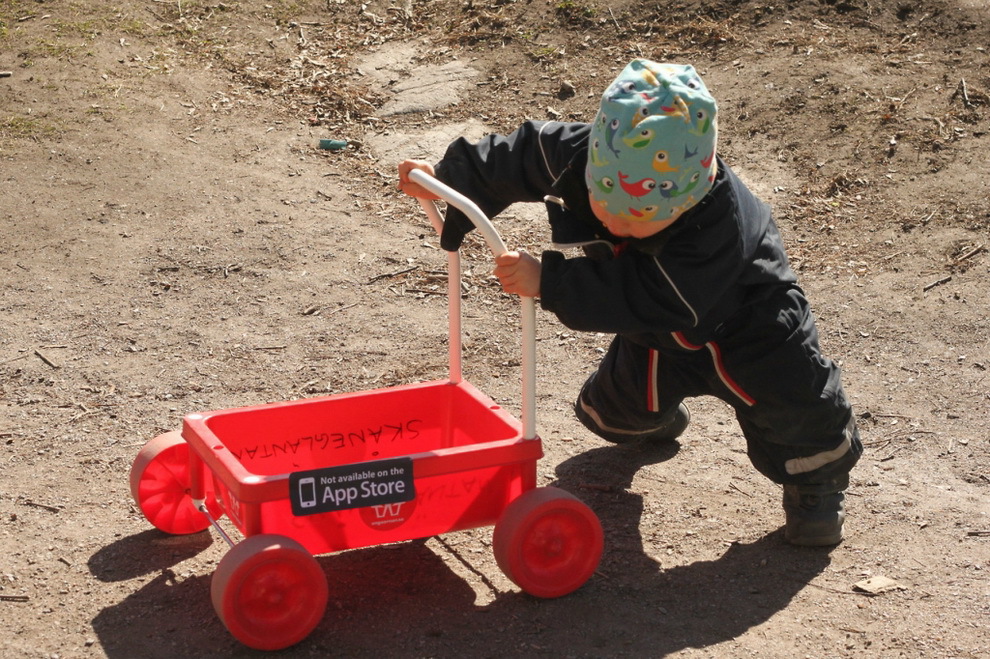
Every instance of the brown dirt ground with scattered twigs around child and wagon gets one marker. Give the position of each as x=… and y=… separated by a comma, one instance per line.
x=174, y=240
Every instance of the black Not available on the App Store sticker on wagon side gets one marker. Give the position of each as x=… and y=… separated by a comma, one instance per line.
x=352, y=486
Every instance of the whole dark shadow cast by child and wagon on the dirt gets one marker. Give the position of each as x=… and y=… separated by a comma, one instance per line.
x=404, y=599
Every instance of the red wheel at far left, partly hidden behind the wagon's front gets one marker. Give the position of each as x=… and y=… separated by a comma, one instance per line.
x=160, y=486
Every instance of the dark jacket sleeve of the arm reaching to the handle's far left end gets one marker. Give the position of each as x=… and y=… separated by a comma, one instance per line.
x=504, y=169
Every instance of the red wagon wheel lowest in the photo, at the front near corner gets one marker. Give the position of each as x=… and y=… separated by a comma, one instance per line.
x=269, y=592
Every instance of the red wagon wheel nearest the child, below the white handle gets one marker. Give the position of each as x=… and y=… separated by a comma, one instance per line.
x=548, y=542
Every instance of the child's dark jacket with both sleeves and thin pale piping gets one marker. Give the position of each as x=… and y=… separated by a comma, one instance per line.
x=688, y=284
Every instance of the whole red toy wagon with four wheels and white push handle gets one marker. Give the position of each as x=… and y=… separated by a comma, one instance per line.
x=325, y=474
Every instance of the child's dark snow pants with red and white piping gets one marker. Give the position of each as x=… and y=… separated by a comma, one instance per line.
x=766, y=364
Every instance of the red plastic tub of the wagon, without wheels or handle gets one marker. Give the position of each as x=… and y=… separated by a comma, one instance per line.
x=468, y=455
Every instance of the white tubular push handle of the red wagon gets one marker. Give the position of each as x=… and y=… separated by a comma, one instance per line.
x=497, y=246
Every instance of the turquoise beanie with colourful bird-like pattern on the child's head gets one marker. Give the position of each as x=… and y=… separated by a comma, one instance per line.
x=652, y=146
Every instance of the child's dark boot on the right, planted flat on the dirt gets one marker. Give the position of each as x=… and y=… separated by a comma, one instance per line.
x=814, y=517
